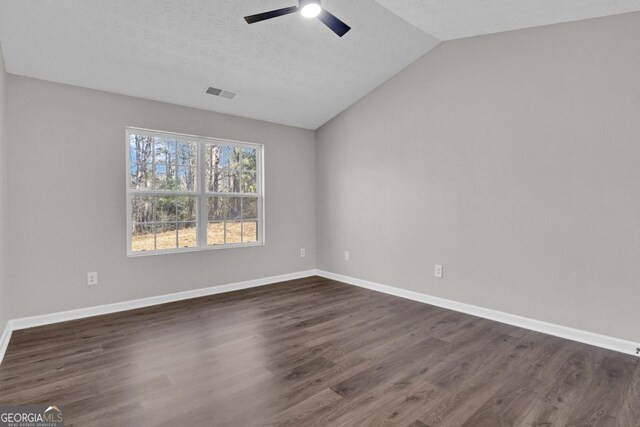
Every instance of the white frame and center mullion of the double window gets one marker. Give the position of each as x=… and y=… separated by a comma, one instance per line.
x=201, y=191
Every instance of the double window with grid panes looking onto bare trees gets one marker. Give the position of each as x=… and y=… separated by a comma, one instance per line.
x=187, y=193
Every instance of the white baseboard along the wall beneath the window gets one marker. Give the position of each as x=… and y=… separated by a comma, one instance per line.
x=63, y=316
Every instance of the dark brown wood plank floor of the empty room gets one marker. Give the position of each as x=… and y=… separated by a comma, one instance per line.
x=314, y=352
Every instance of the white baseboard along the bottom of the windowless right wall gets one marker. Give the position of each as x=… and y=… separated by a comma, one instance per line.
x=616, y=344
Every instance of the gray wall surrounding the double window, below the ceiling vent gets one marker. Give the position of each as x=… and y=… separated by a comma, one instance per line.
x=66, y=156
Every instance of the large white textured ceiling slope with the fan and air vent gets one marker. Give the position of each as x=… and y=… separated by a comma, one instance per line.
x=287, y=70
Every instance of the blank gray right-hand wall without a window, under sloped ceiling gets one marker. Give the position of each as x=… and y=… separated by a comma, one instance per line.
x=513, y=160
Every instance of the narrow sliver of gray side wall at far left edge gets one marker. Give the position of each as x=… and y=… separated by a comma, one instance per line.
x=3, y=202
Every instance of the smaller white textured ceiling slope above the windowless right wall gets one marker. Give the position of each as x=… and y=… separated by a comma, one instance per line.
x=454, y=19
